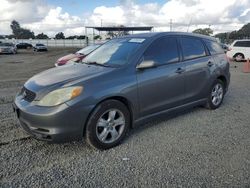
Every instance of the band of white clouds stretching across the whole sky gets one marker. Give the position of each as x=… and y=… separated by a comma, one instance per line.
x=37, y=15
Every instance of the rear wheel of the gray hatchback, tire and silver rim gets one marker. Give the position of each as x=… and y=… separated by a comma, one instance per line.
x=216, y=95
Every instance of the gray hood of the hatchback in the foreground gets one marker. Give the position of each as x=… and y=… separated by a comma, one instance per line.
x=57, y=77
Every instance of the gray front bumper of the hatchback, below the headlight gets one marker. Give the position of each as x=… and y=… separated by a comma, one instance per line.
x=55, y=124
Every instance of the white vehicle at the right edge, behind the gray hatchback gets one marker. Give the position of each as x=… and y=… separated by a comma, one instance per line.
x=239, y=50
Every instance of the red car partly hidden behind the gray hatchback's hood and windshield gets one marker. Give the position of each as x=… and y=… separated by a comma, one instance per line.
x=76, y=57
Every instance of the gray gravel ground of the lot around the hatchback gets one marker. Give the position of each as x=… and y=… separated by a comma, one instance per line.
x=198, y=148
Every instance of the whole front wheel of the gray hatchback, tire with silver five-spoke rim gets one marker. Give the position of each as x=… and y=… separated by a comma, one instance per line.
x=107, y=125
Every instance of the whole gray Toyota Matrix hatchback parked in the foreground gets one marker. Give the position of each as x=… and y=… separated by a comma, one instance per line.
x=122, y=83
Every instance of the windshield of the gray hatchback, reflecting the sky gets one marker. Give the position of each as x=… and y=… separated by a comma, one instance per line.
x=115, y=52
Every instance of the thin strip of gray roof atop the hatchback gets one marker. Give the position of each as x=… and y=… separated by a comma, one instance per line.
x=158, y=34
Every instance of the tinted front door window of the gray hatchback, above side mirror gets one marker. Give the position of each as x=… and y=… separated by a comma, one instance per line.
x=163, y=50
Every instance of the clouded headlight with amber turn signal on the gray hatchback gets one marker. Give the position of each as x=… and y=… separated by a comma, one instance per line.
x=60, y=96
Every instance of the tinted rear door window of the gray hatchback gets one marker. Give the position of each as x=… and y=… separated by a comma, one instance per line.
x=192, y=48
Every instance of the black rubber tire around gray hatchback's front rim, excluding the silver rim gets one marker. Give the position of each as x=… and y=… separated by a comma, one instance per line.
x=90, y=133
